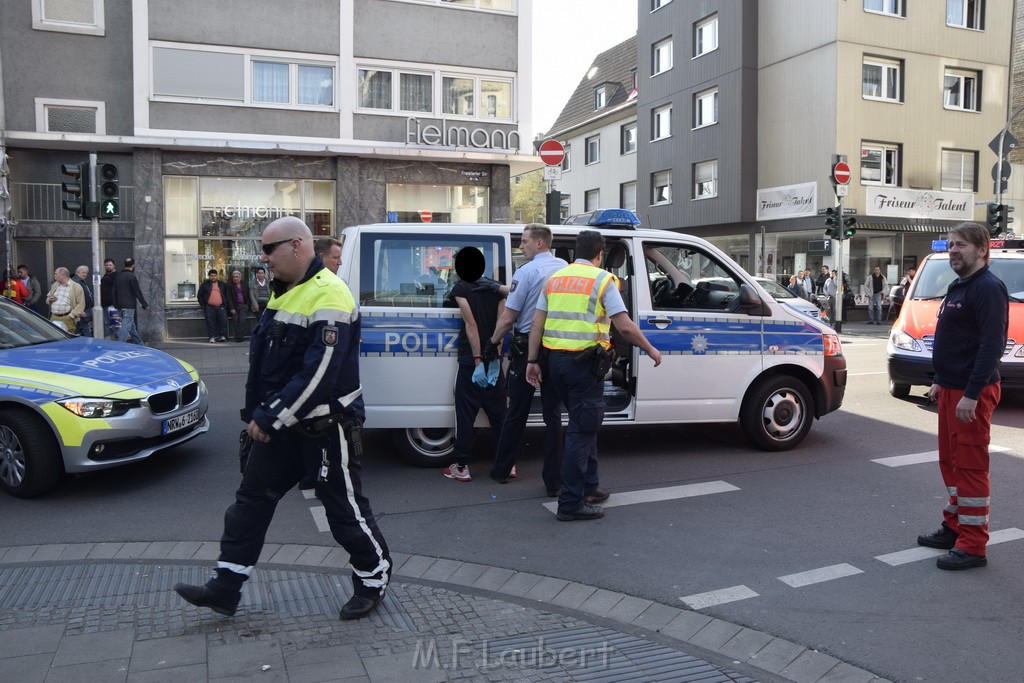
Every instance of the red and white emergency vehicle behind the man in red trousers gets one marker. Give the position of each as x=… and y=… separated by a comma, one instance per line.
x=910, y=348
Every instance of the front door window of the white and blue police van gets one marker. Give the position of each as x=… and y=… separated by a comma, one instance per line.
x=689, y=279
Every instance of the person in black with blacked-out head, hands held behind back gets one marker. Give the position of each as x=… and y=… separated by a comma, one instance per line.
x=481, y=303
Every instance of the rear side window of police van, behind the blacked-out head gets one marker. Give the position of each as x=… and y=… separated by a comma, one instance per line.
x=418, y=270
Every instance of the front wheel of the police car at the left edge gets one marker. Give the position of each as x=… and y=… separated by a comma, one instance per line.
x=30, y=460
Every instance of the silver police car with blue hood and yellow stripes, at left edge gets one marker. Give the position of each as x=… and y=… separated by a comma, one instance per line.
x=72, y=405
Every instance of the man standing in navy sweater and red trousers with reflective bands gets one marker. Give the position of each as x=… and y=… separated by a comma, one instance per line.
x=970, y=338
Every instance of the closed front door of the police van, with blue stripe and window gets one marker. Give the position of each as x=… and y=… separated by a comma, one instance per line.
x=711, y=350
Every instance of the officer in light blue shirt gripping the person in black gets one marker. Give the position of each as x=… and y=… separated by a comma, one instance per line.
x=528, y=283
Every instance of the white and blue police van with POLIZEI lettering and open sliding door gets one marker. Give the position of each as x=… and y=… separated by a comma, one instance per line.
x=731, y=353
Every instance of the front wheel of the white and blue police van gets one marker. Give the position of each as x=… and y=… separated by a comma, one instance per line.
x=778, y=413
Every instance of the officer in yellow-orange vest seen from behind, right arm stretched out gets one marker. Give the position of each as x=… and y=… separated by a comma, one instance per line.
x=573, y=317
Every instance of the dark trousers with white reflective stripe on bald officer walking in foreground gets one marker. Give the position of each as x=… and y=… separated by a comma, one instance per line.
x=274, y=469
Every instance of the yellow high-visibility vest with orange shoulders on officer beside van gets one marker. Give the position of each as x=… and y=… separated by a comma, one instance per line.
x=576, y=319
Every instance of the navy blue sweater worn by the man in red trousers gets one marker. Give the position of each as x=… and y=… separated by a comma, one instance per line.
x=971, y=333
